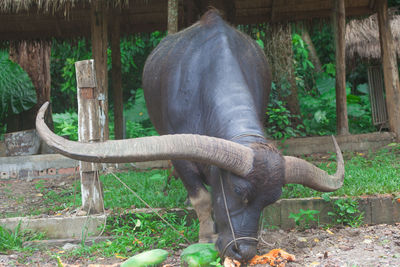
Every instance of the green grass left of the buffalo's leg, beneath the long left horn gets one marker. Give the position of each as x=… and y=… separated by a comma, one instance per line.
x=152, y=186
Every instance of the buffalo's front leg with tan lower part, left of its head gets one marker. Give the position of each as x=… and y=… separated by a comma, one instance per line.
x=199, y=197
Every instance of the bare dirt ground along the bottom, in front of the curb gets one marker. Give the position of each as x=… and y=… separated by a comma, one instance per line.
x=377, y=246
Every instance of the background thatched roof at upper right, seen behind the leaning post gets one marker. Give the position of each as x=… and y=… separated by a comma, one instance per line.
x=362, y=37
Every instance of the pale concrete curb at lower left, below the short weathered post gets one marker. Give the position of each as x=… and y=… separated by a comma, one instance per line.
x=59, y=227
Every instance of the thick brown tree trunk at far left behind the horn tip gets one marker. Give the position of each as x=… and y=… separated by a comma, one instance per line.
x=34, y=58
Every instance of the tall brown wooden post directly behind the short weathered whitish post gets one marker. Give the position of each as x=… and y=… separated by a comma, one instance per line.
x=99, y=49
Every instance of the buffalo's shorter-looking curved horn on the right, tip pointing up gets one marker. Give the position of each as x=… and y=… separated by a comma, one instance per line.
x=299, y=171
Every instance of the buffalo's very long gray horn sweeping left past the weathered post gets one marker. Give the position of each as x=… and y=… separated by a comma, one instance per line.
x=216, y=151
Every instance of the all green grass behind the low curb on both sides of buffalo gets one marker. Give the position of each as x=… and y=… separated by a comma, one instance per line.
x=366, y=174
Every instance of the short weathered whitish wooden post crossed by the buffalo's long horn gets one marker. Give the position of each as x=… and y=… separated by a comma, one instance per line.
x=89, y=131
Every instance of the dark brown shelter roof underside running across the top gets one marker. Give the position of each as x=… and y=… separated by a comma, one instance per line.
x=27, y=19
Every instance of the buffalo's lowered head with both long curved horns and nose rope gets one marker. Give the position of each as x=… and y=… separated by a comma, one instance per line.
x=246, y=178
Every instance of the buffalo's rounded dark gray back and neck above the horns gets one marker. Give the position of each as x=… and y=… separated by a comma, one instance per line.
x=209, y=79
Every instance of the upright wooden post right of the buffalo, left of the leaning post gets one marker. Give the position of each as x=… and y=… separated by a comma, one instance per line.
x=339, y=26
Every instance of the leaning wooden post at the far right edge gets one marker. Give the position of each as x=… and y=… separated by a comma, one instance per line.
x=390, y=70
